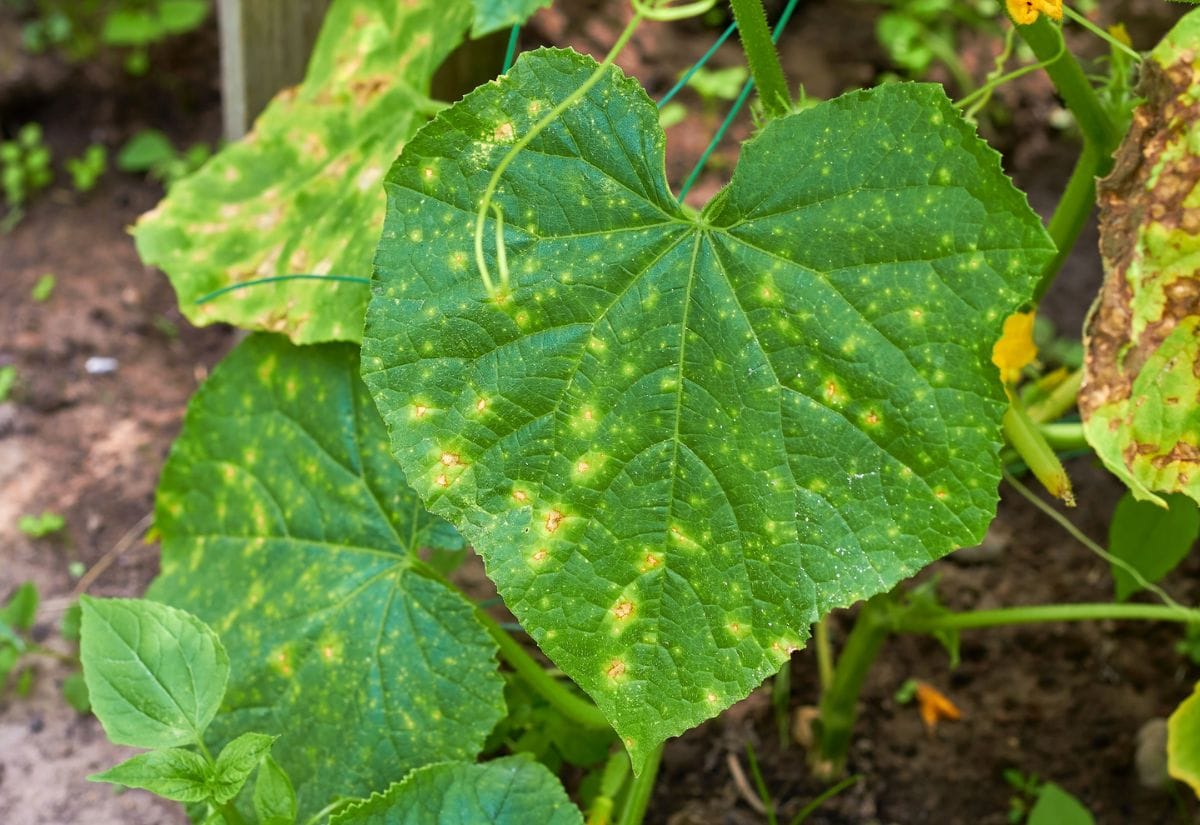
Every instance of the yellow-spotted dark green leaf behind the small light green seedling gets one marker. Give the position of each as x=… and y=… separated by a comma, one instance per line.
x=290, y=529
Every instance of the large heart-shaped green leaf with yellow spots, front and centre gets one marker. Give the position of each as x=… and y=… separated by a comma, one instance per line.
x=685, y=438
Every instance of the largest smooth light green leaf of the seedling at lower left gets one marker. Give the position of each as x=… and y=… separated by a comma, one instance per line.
x=155, y=675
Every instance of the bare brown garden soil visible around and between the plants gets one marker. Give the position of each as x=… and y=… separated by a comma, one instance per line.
x=1063, y=702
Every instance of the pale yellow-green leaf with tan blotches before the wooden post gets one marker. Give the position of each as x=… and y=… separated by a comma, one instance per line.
x=302, y=194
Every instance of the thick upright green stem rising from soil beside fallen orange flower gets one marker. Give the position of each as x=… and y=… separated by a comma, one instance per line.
x=839, y=704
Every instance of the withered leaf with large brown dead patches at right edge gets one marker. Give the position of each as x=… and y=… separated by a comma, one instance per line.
x=1141, y=399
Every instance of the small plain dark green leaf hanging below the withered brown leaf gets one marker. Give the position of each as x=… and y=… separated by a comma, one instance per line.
x=1150, y=539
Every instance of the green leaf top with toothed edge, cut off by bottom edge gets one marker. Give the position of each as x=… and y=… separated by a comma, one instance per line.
x=514, y=791
